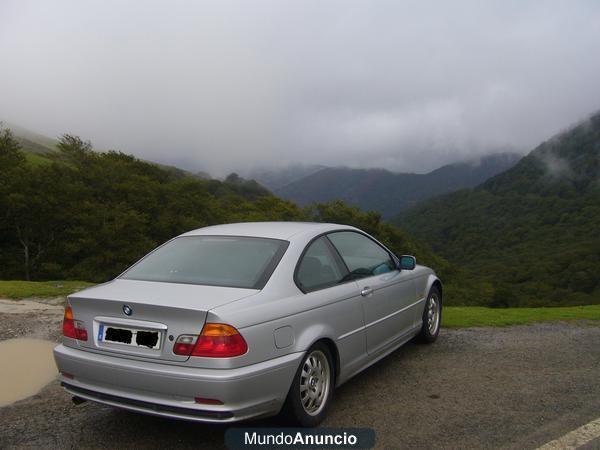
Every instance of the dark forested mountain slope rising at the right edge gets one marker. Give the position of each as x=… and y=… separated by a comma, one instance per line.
x=528, y=236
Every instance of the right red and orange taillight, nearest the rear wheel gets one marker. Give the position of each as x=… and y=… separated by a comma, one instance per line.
x=217, y=340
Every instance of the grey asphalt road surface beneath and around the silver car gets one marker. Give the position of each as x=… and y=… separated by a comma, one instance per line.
x=516, y=387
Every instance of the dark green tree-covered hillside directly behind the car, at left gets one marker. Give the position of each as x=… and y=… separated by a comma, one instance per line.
x=82, y=214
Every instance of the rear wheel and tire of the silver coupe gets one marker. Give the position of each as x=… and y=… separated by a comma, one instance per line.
x=311, y=392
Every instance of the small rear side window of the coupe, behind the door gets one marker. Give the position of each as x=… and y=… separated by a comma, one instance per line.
x=318, y=268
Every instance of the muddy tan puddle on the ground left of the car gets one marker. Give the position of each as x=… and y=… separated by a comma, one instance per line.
x=26, y=366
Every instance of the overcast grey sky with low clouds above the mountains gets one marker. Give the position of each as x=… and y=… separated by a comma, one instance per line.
x=230, y=85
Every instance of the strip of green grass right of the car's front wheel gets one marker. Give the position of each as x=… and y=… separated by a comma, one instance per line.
x=477, y=316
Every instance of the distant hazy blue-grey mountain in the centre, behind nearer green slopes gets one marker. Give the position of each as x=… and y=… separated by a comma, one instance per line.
x=389, y=192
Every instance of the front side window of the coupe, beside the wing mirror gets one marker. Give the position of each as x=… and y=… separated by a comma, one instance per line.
x=362, y=256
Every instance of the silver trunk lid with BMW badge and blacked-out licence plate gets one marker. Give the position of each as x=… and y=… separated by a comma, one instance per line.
x=159, y=310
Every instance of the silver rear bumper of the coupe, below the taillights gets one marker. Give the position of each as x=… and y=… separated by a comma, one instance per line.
x=169, y=390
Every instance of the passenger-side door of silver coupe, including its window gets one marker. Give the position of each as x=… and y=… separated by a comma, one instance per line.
x=387, y=293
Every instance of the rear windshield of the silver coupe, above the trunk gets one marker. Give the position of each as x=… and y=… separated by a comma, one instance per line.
x=232, y=261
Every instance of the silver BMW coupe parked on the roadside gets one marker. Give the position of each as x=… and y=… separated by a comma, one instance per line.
x=229, y=322
